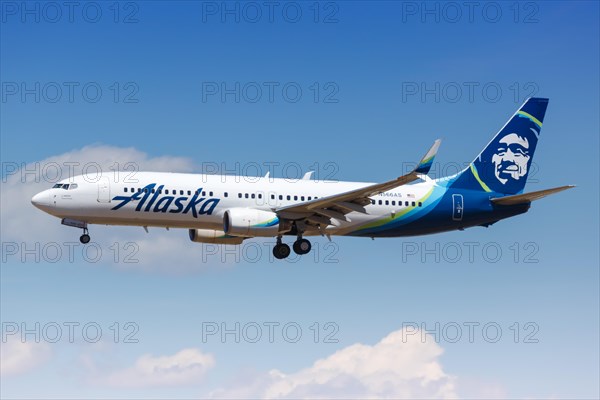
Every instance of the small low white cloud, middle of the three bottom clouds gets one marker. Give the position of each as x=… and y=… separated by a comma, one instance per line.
x=186, y=367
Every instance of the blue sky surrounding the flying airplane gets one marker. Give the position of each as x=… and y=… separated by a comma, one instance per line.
x=362, y=69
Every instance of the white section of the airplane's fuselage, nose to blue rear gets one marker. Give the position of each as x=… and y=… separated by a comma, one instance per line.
x=197, y=201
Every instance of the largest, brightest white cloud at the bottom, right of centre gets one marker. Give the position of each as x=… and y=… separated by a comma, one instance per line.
x=392, y=368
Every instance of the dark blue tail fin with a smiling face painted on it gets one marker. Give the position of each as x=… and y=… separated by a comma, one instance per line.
x=503, y=165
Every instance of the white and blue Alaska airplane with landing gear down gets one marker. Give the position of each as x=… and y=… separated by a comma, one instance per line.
x=224, y=209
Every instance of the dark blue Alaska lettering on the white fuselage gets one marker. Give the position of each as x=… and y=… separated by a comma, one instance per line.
x=150, y=199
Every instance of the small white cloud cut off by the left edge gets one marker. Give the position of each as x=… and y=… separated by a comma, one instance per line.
x=17, y=357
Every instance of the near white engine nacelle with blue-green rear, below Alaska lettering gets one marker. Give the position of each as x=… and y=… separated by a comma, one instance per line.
x=248, y=222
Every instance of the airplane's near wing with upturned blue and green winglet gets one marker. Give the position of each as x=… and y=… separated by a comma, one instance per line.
x=332, y=209
